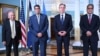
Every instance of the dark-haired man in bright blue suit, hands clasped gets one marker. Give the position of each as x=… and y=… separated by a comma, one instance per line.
x=38, y=25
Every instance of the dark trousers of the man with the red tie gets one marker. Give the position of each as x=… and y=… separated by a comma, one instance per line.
x=93, y=47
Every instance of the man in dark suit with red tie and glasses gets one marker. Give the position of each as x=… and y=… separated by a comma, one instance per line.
x=89, y=25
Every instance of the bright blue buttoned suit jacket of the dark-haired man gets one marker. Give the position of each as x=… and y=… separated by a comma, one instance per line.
x=35, y=28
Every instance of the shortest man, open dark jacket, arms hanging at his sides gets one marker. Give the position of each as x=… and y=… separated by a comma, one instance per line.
x=11, y=33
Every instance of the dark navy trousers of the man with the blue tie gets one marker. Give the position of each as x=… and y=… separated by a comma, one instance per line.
x=61, y=40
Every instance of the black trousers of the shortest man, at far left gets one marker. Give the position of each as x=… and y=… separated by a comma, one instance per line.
x=15, y=48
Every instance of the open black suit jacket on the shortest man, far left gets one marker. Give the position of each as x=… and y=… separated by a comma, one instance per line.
x=6, y=31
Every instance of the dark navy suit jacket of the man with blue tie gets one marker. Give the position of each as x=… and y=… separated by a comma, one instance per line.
x=66, y=26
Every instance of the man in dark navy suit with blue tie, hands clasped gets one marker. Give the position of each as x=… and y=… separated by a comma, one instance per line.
x=62, y=27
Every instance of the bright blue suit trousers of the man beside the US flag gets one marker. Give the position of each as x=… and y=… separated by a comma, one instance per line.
x=42, y=44
